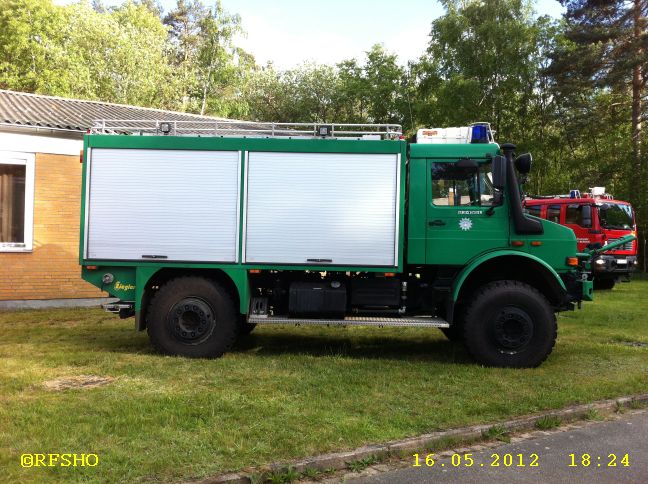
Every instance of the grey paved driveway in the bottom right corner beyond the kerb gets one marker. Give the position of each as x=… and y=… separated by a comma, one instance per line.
x=606, y=444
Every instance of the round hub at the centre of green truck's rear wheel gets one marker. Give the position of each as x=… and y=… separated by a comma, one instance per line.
x=191, y=320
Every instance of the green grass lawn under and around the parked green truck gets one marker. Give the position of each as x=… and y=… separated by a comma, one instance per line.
x=283, y=392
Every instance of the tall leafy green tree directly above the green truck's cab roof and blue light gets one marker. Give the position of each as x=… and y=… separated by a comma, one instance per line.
x=481, y=65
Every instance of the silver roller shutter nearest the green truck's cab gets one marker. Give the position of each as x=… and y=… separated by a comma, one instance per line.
x=322, y=209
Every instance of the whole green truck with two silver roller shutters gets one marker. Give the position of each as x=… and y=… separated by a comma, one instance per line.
x=204, y=230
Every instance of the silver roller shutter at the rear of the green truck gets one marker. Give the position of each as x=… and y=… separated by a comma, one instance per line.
x=175, y=205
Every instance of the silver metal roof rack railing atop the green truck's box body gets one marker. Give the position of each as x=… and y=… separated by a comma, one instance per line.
x=224, y=128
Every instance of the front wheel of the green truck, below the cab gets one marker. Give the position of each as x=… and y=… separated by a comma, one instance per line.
x=510, y=324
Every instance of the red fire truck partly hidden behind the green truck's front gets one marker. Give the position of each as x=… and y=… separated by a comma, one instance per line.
x=597, y=220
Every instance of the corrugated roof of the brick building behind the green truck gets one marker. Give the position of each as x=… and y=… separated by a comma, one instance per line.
x=19, y=108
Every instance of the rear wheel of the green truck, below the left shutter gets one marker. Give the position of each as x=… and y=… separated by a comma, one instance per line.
x=193, y=317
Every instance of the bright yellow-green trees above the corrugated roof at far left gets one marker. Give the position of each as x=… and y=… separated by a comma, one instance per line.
x=74, y=51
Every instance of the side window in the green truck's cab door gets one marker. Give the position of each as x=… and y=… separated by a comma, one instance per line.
x=462, y=187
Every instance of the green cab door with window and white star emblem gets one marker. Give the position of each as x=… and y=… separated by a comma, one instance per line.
x=465, y=215
